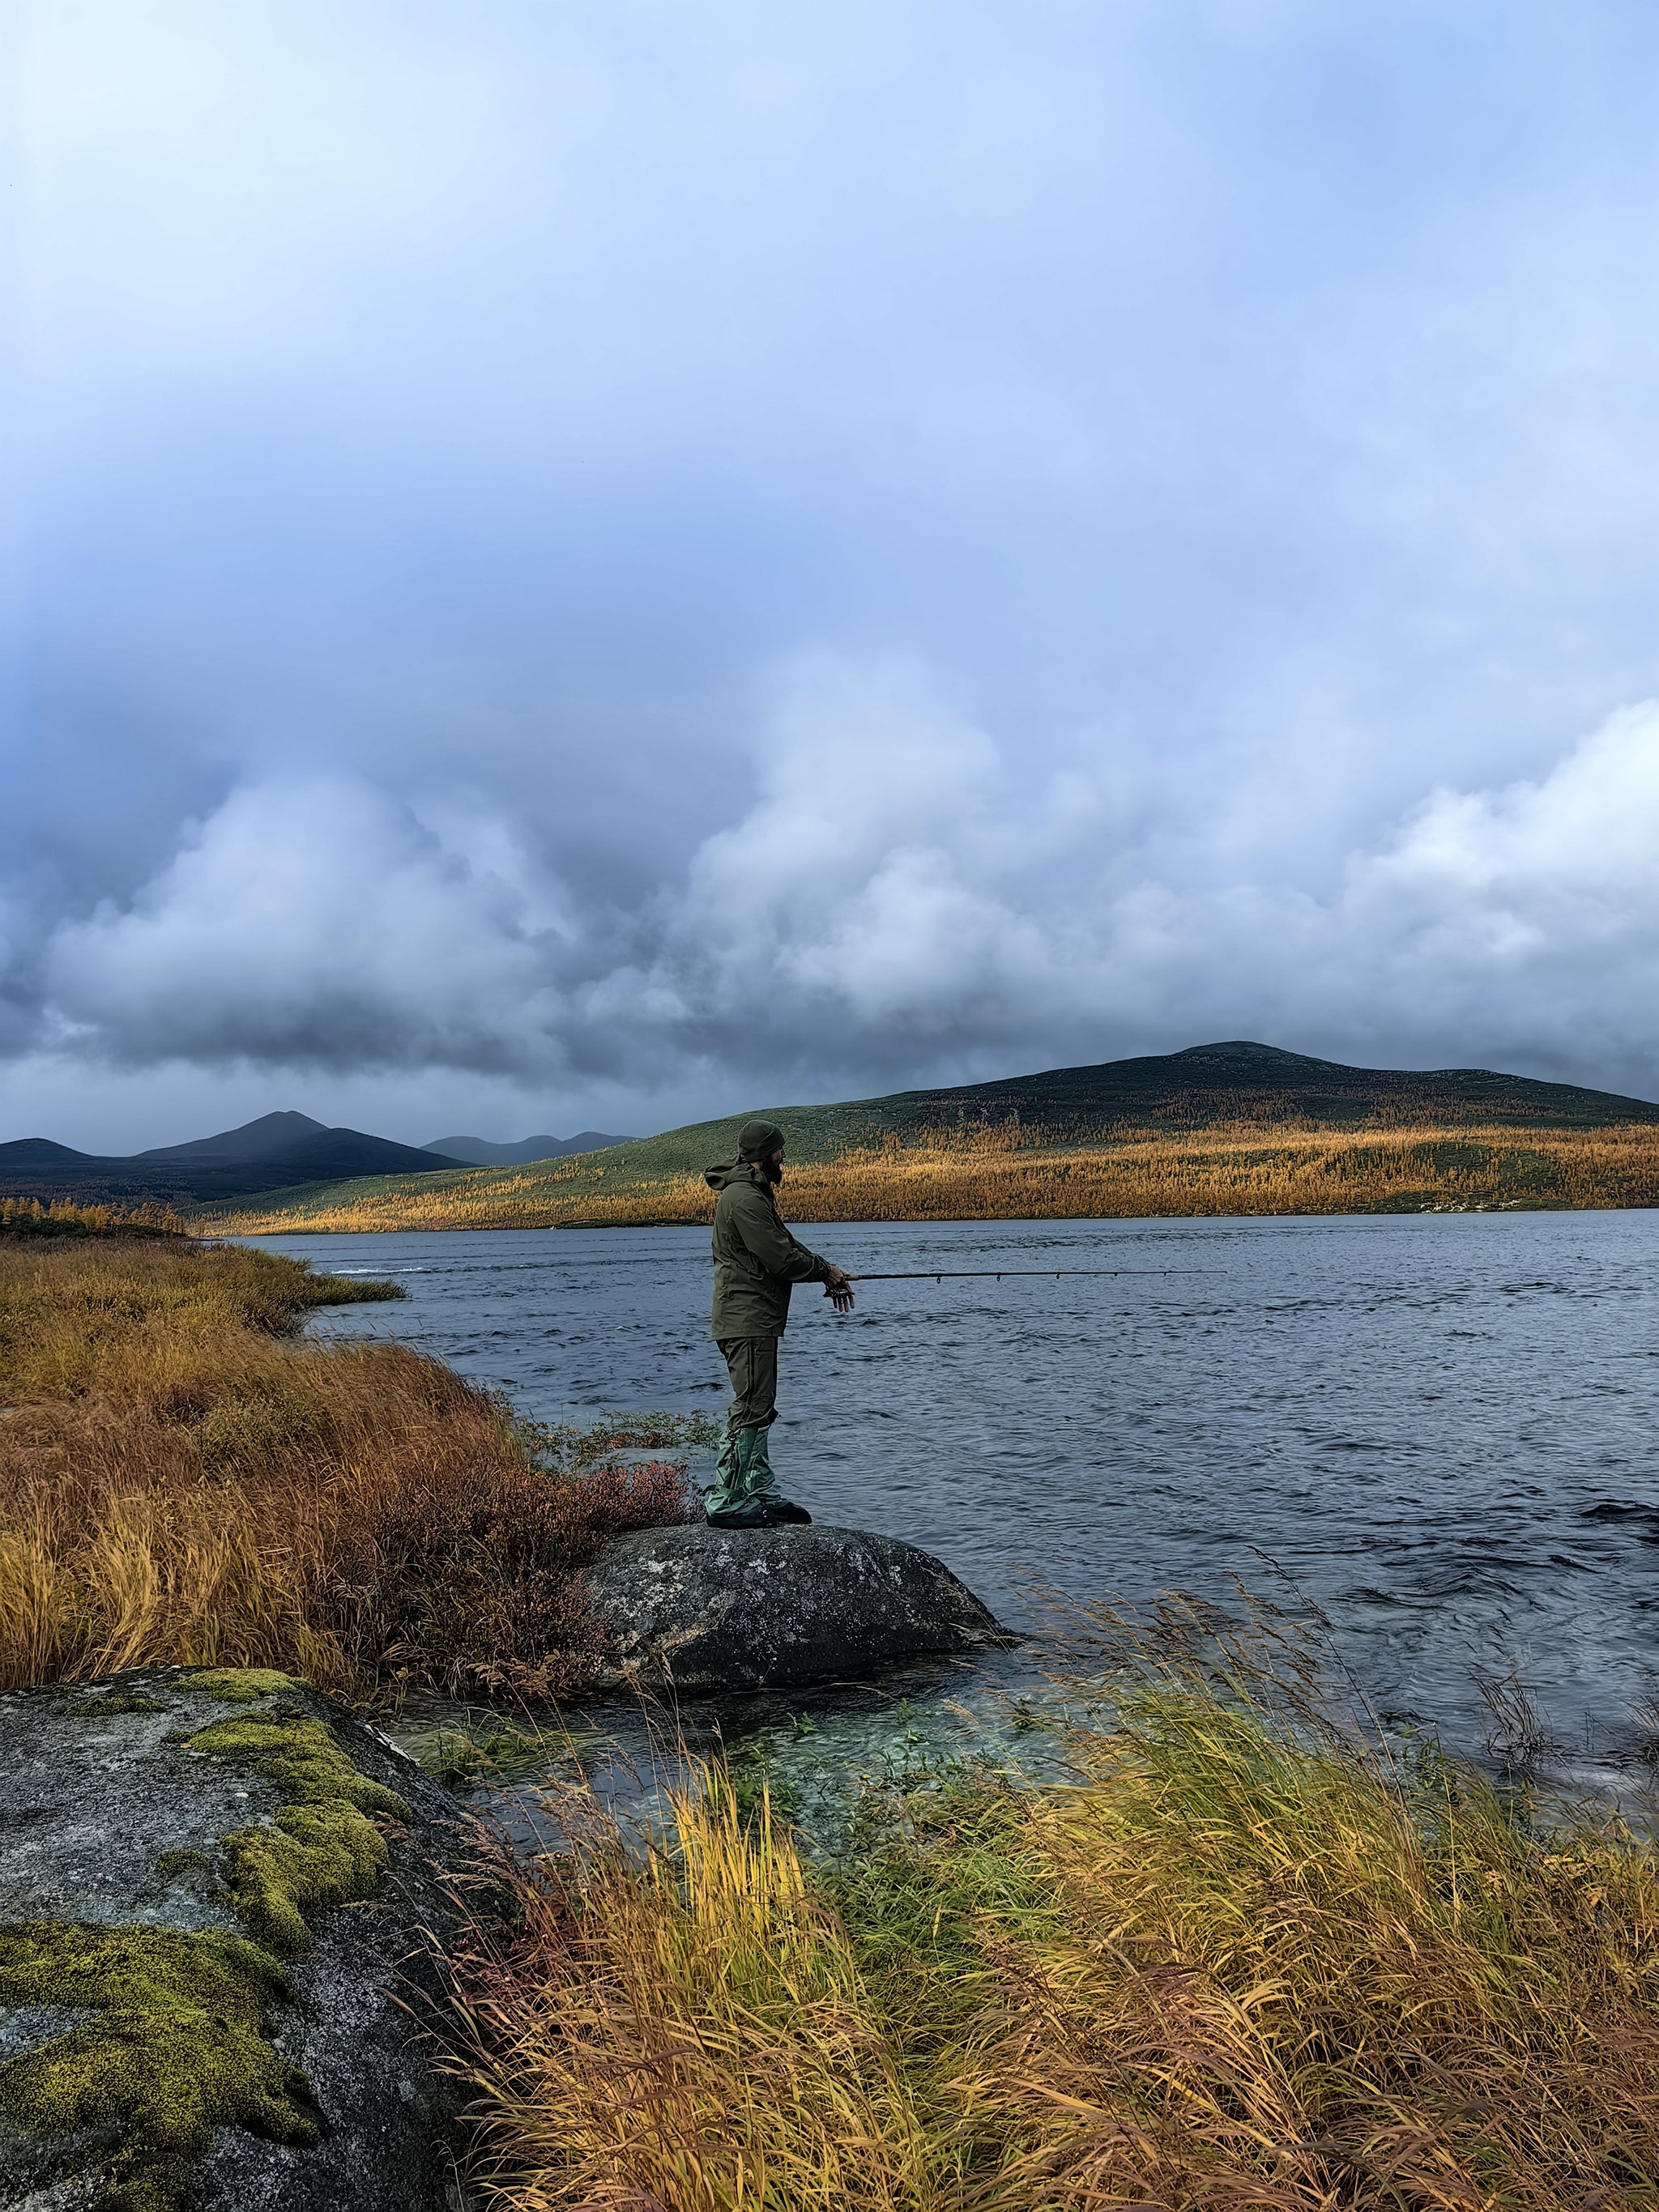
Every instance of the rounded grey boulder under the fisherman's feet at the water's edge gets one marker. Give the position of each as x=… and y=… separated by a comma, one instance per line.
x=738, y=1609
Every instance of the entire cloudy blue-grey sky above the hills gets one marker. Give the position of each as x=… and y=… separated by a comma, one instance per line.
x=594, y=565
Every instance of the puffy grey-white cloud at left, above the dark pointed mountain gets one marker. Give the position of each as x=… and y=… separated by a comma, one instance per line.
x=320, y=926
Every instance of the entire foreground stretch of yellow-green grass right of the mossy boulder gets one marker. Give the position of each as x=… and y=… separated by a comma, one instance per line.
x=1240, y=1961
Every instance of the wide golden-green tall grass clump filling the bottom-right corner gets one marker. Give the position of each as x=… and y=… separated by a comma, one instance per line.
x=1282, y=1974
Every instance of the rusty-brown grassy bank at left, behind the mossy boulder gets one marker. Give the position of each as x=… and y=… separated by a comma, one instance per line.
x=182, y=1479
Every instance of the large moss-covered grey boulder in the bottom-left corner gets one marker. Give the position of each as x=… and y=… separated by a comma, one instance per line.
x=213, y=1890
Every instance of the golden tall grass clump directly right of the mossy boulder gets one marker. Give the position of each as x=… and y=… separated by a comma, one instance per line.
x=691, y=2036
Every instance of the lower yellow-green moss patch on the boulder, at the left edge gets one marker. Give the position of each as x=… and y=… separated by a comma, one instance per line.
x=178, y=2047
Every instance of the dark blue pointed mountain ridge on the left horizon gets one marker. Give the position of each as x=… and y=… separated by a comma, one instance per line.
x=273, y=1154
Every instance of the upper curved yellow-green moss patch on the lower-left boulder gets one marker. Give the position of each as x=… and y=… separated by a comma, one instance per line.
x=322, y=1850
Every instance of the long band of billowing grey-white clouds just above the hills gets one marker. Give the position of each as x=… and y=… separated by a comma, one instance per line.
x=893, y=899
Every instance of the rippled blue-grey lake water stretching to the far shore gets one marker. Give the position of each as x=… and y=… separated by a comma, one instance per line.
x=1439, y=1428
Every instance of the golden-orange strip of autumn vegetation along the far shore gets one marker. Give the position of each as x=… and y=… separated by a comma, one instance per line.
x=1025, y=1176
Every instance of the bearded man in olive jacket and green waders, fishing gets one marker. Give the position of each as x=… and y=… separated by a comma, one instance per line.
x=758, y=1262
